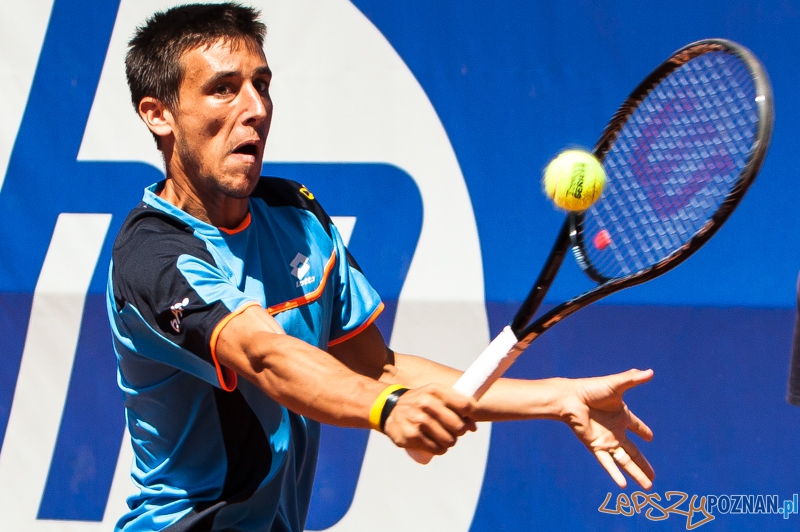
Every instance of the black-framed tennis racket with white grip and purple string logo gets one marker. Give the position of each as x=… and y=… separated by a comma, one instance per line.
x=679, y=155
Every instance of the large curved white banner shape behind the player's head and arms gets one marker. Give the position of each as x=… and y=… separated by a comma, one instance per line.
x=345, y=96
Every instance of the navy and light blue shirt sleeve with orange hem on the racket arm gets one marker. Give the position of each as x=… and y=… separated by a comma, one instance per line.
x=165, y=277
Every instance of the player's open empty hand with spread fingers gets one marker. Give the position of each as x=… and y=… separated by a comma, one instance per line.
x=598, y=416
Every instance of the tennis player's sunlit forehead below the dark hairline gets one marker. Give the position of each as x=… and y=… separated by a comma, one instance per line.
x=224, y=55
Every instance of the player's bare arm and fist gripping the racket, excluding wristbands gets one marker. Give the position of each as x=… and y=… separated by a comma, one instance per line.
x=315, y=384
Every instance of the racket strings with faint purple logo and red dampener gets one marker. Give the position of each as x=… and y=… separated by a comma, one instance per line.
x=674, y=162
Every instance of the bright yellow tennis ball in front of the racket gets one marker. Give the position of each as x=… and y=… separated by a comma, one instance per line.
x=574, y=180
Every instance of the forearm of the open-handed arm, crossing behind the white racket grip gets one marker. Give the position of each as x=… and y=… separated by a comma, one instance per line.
x=507, y=399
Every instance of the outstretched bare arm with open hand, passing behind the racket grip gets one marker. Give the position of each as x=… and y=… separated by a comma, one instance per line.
x=593, y=408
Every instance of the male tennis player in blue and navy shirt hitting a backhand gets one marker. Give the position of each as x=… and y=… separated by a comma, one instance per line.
x=241, y=321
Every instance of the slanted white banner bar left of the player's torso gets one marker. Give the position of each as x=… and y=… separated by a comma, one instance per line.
x=45, y=369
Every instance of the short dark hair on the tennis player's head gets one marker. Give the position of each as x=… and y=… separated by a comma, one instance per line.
x=153, y=63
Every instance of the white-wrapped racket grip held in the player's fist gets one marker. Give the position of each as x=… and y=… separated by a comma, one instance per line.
x=481, y=374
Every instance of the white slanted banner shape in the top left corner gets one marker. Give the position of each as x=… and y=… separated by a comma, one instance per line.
x=22, y=28
